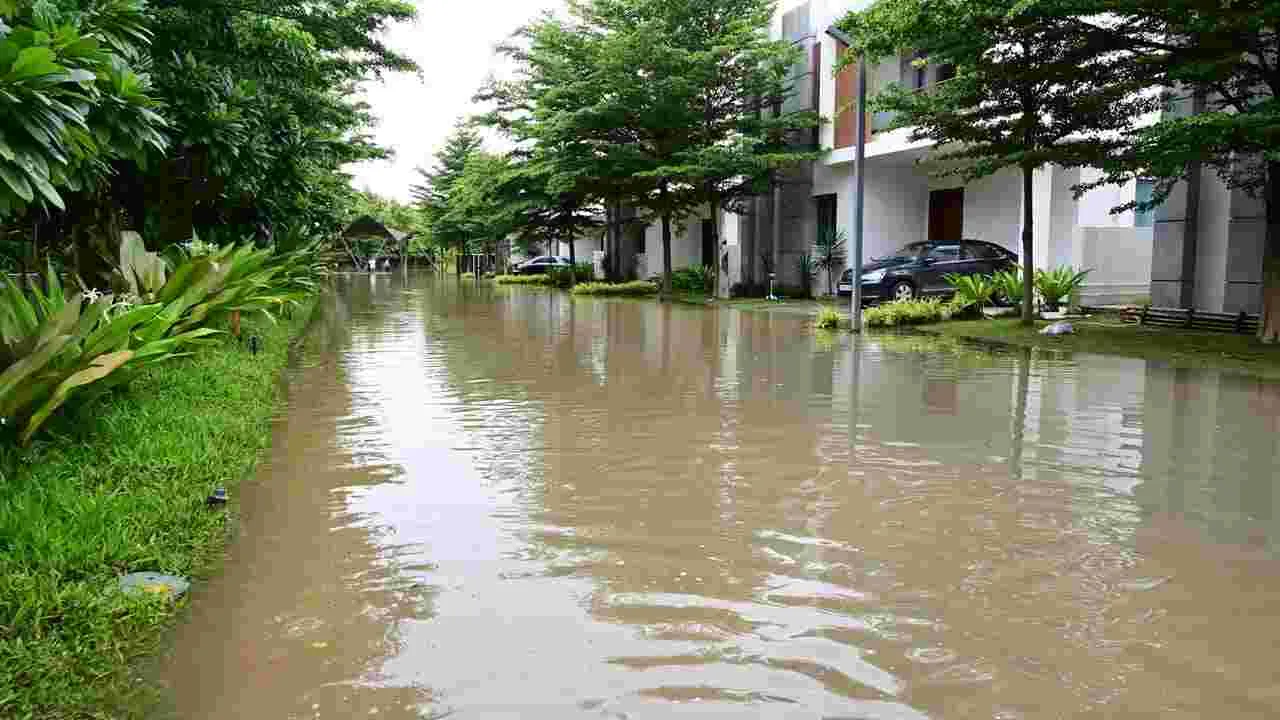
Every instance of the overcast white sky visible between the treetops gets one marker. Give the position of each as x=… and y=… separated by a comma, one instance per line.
x=454, y=43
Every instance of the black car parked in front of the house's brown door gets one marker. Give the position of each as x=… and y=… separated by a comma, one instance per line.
x=921, y=270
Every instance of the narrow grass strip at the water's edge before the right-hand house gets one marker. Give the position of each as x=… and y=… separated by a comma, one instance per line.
x=1109, y=336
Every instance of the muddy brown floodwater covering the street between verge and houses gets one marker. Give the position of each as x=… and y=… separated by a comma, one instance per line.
x=505, y=503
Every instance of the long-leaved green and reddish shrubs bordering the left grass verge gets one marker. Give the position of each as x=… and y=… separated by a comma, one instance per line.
x=57, y=348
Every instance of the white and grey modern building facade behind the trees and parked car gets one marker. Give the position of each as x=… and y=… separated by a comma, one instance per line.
x=1204, y=253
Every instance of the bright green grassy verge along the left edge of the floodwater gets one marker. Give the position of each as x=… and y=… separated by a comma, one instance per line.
x=120, y=486
